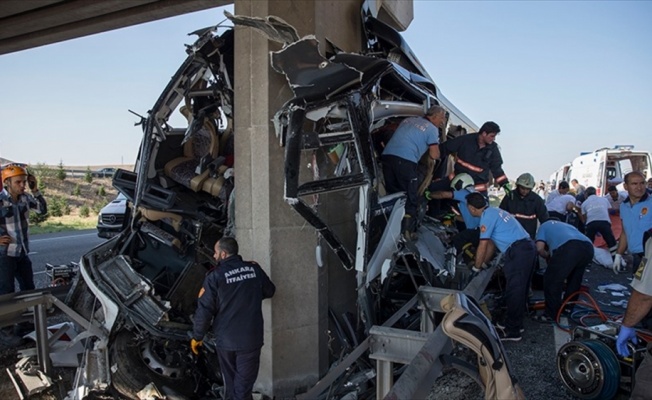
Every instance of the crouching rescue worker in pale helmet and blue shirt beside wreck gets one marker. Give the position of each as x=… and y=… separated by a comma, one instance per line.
x=466, y=240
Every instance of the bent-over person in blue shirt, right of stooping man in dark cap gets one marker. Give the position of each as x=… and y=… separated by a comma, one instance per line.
x=568, y=253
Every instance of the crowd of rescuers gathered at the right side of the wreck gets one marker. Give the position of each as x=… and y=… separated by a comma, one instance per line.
x=562, y=229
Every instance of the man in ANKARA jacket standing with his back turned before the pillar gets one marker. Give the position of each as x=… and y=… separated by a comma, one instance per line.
x=230, y=301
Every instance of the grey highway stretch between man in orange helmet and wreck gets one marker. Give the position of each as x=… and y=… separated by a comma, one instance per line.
x=59, y=248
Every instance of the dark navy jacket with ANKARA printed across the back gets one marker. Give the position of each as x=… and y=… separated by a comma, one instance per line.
x=231, y=297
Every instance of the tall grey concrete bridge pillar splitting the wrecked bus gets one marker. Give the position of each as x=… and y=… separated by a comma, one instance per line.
x=295, y=354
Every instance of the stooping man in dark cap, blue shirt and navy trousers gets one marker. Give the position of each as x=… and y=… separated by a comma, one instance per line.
x=500, y=229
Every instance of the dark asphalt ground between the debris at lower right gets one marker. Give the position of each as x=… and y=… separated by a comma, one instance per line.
x=533, y=360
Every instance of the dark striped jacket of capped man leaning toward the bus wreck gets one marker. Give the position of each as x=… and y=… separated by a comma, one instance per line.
x=475, y=161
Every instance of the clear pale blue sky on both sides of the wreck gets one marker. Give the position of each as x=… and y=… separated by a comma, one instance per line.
x=559, y=78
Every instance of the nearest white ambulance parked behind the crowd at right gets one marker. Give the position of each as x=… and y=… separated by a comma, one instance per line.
x=606, y=167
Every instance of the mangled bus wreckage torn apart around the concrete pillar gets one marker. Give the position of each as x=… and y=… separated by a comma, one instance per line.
x=134, y=289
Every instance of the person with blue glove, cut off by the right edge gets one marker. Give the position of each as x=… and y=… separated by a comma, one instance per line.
x=638, y=307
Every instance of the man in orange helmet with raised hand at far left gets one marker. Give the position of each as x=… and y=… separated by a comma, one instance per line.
x=15, y=206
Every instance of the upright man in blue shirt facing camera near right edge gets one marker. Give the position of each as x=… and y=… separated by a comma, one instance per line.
x=636, y=216
